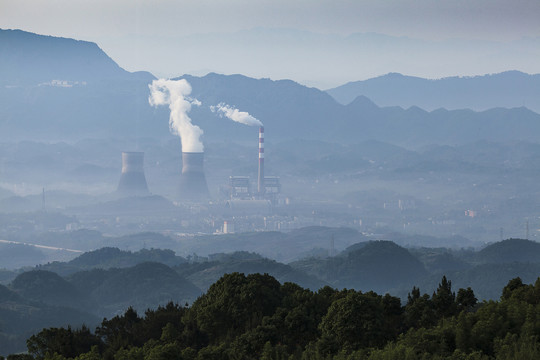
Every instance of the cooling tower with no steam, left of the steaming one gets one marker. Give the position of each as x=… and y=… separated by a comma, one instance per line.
x=132, y=181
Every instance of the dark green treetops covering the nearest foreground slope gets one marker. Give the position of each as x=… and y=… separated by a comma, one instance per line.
x=255, y=317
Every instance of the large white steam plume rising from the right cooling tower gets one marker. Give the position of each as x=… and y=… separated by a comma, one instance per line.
x=175, y=94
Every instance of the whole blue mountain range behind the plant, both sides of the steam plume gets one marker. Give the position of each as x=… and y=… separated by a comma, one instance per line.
x=74, y=90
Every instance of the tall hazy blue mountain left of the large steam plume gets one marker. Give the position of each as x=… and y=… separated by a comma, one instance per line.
x=67, y=89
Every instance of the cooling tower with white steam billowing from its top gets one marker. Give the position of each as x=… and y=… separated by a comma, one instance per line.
x=193, y=185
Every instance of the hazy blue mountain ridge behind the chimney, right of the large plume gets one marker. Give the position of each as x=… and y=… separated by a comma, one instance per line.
x=290, y=110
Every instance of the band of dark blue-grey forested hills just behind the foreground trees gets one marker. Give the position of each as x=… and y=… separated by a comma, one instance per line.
x=107, y=281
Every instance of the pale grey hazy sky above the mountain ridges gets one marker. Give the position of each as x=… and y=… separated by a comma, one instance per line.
x=317, y=42
